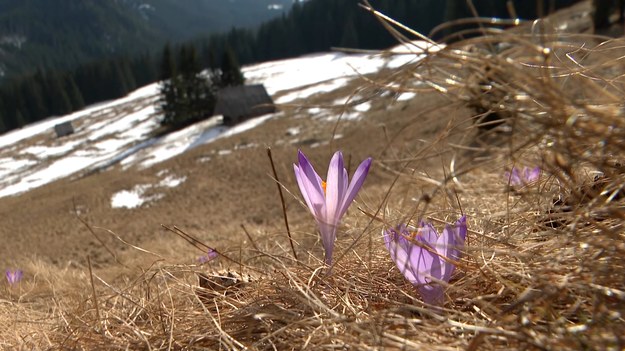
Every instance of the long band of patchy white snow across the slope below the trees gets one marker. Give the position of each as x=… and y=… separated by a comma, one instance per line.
x=119, y=131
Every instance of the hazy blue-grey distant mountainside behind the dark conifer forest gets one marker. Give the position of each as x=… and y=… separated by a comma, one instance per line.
x=60, y=34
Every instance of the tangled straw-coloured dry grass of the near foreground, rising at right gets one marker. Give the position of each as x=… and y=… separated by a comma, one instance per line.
x=543, y=267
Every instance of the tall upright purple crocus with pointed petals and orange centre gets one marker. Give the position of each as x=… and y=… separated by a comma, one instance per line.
x=328, y=200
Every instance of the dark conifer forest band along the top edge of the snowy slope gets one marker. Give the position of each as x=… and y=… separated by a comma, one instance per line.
x=312, y=26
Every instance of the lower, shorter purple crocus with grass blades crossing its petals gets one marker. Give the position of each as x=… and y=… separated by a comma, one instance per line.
x=424, y=257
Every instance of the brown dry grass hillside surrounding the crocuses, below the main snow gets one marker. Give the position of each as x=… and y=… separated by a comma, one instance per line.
x=541, y=269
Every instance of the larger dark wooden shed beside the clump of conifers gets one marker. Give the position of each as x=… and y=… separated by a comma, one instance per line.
x=239, y=103
